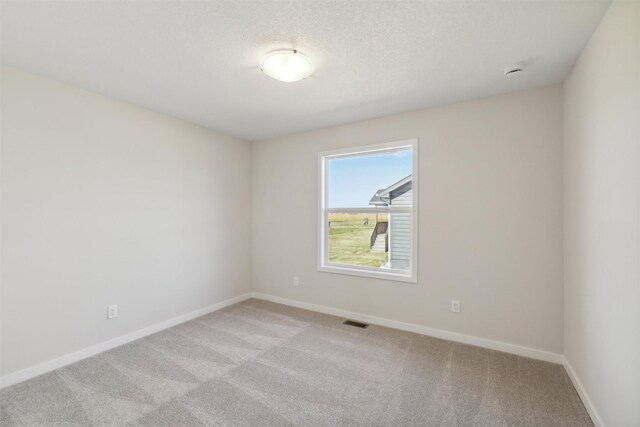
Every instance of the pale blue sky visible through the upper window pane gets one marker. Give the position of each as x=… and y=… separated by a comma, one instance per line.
x=353, y=180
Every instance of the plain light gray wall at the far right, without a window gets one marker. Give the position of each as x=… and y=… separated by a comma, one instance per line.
x=602, y=217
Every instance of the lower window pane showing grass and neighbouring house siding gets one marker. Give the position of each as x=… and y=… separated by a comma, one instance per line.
x=363, y=239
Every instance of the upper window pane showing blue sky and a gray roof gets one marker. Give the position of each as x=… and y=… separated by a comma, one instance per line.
x=370, y=180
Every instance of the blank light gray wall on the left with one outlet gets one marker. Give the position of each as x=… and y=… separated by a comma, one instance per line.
x=107, y=203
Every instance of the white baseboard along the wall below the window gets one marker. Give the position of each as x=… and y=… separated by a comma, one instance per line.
x=519, y=350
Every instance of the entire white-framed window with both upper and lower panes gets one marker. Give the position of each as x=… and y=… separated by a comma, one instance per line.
x=368, y=211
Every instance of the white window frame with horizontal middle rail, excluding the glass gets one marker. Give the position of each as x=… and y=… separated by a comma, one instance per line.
x=324, y=265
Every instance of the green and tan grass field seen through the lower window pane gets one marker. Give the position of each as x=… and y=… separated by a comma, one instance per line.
x=349, y=239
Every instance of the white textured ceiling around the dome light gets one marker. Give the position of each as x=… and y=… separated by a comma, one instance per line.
x=198, y=60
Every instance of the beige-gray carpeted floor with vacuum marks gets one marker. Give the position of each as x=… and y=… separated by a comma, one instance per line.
x=258, y=363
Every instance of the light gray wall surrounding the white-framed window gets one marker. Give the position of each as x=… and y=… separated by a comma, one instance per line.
x=490, y=226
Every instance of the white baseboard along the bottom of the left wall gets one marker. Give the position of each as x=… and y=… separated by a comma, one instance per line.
x=70, y=358
